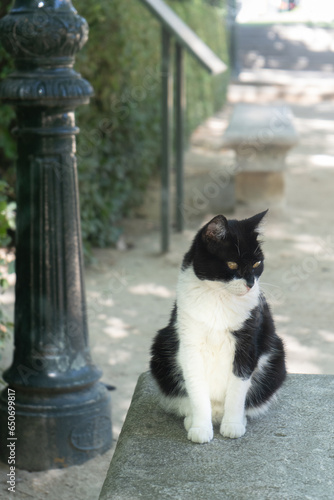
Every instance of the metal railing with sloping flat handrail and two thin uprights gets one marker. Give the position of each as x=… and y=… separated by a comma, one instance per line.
x=173, y=27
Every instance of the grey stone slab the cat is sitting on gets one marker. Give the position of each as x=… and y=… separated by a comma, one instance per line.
x=286, y=454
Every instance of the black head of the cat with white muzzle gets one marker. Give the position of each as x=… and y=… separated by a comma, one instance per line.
x=228, y=251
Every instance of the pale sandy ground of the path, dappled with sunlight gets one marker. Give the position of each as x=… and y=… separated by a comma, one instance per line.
x=130, y=292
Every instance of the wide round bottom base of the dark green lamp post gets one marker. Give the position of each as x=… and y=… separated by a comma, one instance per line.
x=56, y=430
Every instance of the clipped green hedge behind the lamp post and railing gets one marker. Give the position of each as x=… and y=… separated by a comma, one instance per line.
x=119, y=144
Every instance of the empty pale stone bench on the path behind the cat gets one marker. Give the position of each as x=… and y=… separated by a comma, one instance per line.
x=261, y=136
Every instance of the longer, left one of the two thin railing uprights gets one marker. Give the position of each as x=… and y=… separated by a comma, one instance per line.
x=167, y=103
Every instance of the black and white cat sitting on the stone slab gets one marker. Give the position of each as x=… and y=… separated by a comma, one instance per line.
x=219, y=359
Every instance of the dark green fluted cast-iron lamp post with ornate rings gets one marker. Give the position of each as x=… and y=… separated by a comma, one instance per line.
x=62, y=411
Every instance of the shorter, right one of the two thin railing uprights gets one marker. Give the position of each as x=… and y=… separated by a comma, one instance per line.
x=179, y=135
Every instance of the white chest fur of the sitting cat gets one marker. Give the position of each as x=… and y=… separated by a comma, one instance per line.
x=206, y=317
